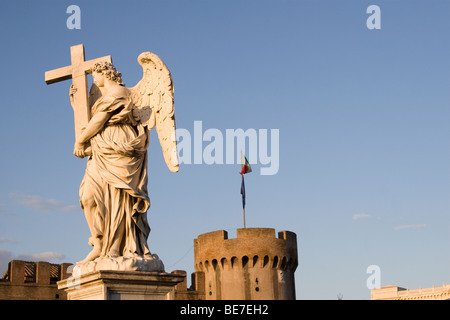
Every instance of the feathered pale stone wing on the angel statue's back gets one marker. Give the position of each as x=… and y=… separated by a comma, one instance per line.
x=154, y=105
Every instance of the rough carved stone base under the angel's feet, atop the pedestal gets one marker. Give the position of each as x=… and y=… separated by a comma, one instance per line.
x=134, y=263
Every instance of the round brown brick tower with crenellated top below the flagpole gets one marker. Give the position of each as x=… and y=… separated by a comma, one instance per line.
x=254, y=266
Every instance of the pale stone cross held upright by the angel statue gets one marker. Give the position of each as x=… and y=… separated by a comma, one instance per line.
x=77, y=71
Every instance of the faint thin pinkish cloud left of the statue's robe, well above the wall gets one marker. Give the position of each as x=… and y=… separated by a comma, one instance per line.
x=41, y=204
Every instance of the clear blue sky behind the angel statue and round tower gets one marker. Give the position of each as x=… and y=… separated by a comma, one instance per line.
x=363, y=119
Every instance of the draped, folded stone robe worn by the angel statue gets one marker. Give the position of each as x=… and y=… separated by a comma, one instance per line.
x=116, y=177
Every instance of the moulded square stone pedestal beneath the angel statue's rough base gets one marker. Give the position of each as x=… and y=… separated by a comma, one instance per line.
x=121, y=285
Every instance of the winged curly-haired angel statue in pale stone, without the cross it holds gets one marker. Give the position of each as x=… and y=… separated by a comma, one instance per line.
x=113, y=192
